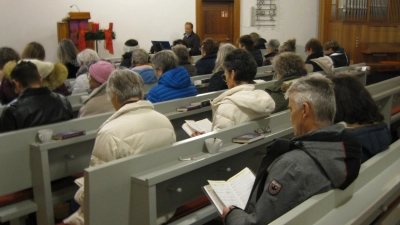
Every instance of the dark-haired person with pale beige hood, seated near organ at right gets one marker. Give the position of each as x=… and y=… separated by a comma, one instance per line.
x=316, y=58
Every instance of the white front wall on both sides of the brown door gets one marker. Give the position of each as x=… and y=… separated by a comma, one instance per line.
x=23, y=21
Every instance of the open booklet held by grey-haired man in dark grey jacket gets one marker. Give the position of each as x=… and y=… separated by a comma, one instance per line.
x=235, y=191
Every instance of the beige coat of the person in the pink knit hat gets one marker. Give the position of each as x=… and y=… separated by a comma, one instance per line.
x=97, y=103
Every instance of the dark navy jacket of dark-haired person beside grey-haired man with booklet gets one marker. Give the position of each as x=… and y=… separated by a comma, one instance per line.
x=373, y=139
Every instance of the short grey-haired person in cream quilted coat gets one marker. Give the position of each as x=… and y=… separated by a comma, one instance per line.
x=130, y=130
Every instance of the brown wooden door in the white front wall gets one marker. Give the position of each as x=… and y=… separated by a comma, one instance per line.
x=218, y=21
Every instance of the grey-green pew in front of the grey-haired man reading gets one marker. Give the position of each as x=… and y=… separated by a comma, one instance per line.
x=168, y=183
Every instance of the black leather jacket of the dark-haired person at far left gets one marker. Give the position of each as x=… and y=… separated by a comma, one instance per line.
x=35, y=107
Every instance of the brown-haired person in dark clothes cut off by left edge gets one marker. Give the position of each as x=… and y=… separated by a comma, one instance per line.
x=7, y=93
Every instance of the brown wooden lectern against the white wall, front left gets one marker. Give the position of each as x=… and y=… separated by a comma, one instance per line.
x=69, y=27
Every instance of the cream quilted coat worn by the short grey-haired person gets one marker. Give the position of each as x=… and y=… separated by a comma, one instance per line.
x=130, y=130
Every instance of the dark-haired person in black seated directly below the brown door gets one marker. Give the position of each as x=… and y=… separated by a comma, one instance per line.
x=206, y=64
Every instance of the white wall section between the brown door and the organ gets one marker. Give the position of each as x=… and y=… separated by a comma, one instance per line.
x=295, y=18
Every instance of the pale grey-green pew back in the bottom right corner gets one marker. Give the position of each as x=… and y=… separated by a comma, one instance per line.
x=377, y=185
